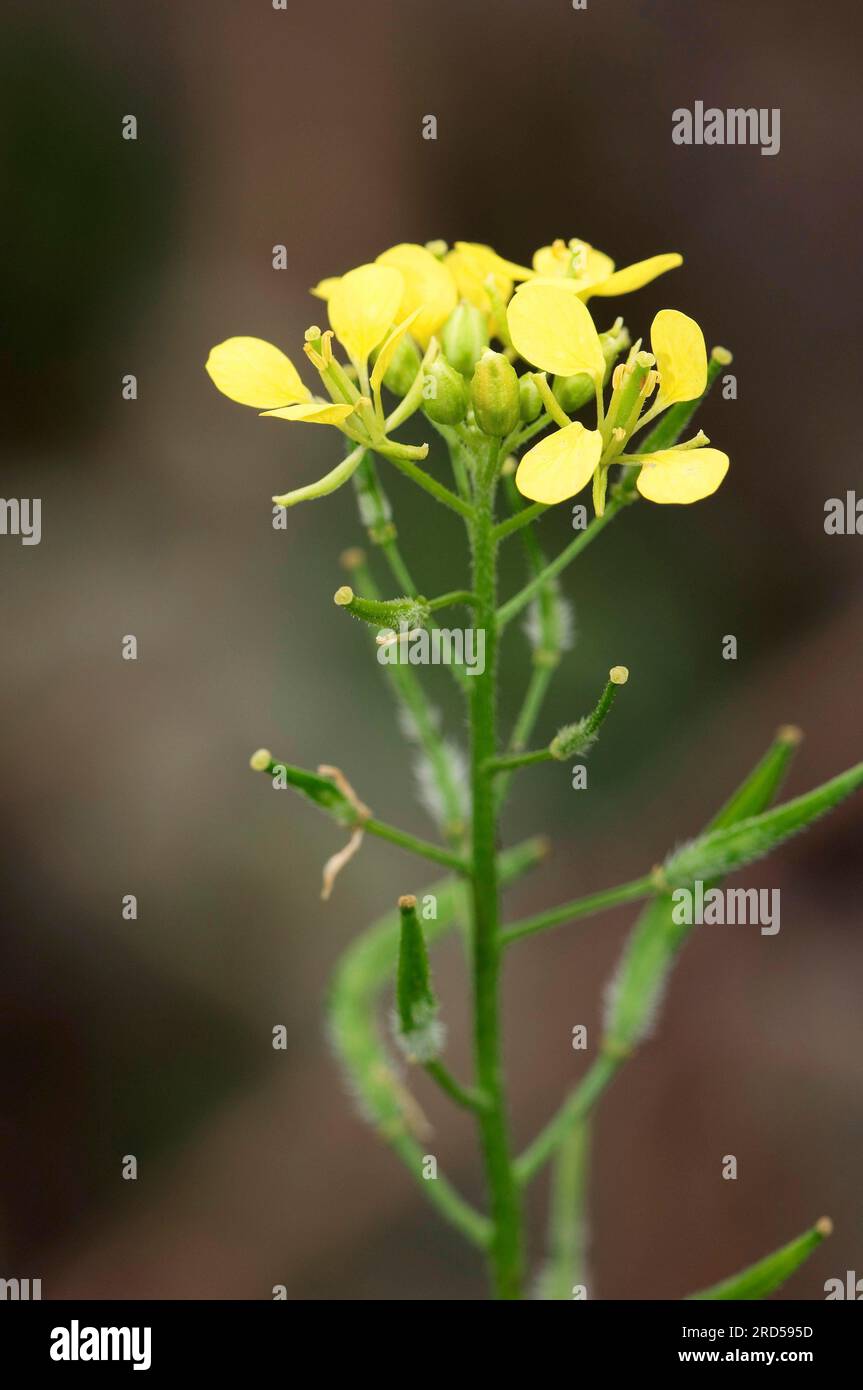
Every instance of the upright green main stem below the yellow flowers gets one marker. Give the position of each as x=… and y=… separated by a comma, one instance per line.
x=505, y=1250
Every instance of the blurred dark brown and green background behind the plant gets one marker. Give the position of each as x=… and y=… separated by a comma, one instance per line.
x=154, y=1038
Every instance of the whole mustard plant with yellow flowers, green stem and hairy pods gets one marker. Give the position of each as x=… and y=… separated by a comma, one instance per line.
x=534, y=404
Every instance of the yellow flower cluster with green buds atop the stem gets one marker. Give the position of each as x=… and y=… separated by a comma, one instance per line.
x=423, y=322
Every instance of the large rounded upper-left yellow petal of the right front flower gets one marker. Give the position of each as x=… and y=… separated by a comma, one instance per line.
x=552, y=330
